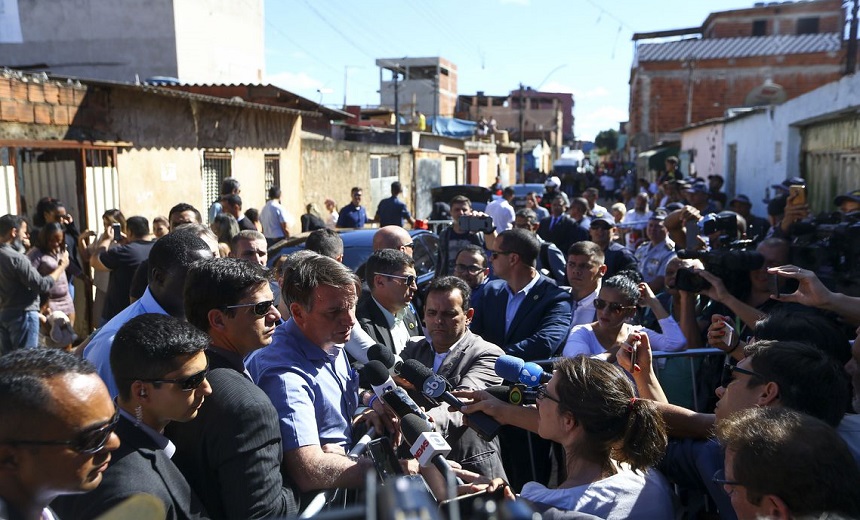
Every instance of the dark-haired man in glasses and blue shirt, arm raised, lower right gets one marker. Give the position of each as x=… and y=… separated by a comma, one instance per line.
x=785, y=374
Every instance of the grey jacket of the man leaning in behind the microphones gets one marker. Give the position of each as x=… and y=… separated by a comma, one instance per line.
x=470, y=364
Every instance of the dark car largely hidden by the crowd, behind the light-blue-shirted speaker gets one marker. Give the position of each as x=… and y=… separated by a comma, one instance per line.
x=358, y=245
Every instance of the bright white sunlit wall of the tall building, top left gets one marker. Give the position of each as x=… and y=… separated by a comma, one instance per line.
x=220, y=41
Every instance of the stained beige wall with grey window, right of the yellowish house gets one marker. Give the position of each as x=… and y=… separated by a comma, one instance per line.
x=331, y=168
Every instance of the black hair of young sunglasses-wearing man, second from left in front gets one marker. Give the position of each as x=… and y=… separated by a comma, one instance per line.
x=151, y=346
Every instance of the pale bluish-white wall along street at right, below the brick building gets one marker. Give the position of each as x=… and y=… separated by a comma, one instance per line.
x=769, y=143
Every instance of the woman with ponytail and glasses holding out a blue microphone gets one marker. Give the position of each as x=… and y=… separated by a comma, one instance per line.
x=610, y=438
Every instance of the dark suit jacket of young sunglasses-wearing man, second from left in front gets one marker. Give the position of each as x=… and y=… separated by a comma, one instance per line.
x=137, y=466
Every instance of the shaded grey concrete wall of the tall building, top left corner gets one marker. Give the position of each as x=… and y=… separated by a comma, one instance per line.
x=104, y=39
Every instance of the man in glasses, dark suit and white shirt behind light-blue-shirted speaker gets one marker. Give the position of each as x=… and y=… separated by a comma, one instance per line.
x=385, y=313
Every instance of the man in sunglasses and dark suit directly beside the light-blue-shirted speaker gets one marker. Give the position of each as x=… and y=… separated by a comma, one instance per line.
x=231, y=453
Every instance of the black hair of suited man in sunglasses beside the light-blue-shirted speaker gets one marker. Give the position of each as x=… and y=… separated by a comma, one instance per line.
x=218, y=282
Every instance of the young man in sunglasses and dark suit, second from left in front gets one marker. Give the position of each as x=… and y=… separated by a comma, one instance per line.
x=160, y=367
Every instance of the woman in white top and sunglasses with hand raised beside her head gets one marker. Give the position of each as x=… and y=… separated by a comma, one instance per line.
x=615, y=305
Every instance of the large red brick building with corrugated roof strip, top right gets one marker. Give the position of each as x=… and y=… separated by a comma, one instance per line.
x=747, y=57
